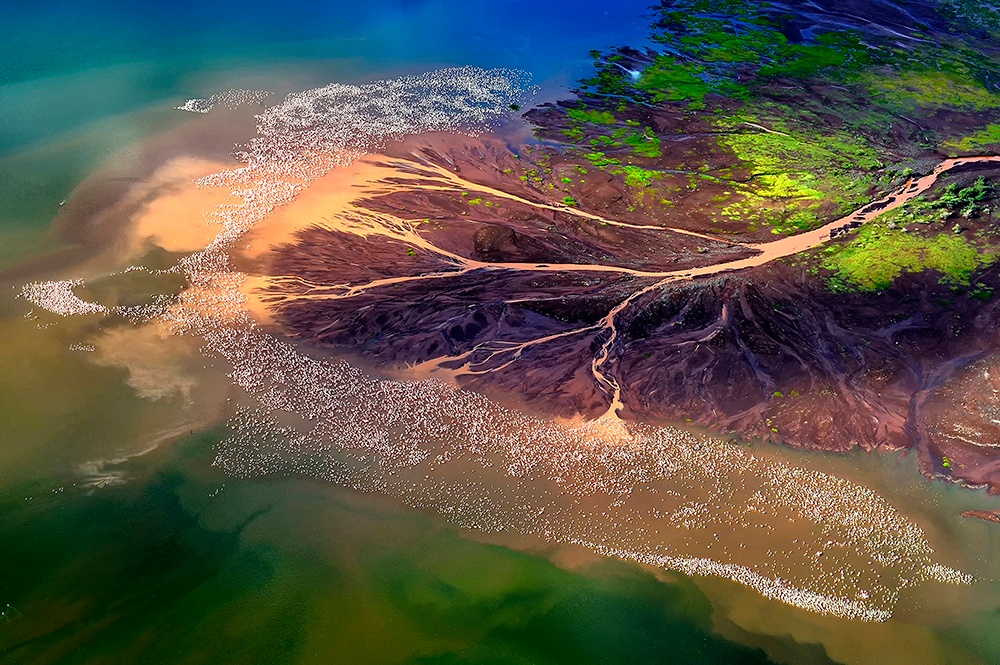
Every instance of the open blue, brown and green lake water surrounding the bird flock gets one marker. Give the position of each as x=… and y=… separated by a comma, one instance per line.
x=123, y=540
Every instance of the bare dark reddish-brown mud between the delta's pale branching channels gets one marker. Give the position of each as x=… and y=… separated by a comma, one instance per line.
x=766, y=353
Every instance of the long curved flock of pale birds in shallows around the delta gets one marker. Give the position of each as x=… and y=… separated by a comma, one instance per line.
x=660, y=496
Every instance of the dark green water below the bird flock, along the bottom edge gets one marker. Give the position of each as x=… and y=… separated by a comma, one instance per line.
x=182, y=564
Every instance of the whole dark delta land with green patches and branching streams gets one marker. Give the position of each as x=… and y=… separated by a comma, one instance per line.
x=685, y=157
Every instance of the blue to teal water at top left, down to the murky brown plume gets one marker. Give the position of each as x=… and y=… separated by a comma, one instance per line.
x=81, y=81
